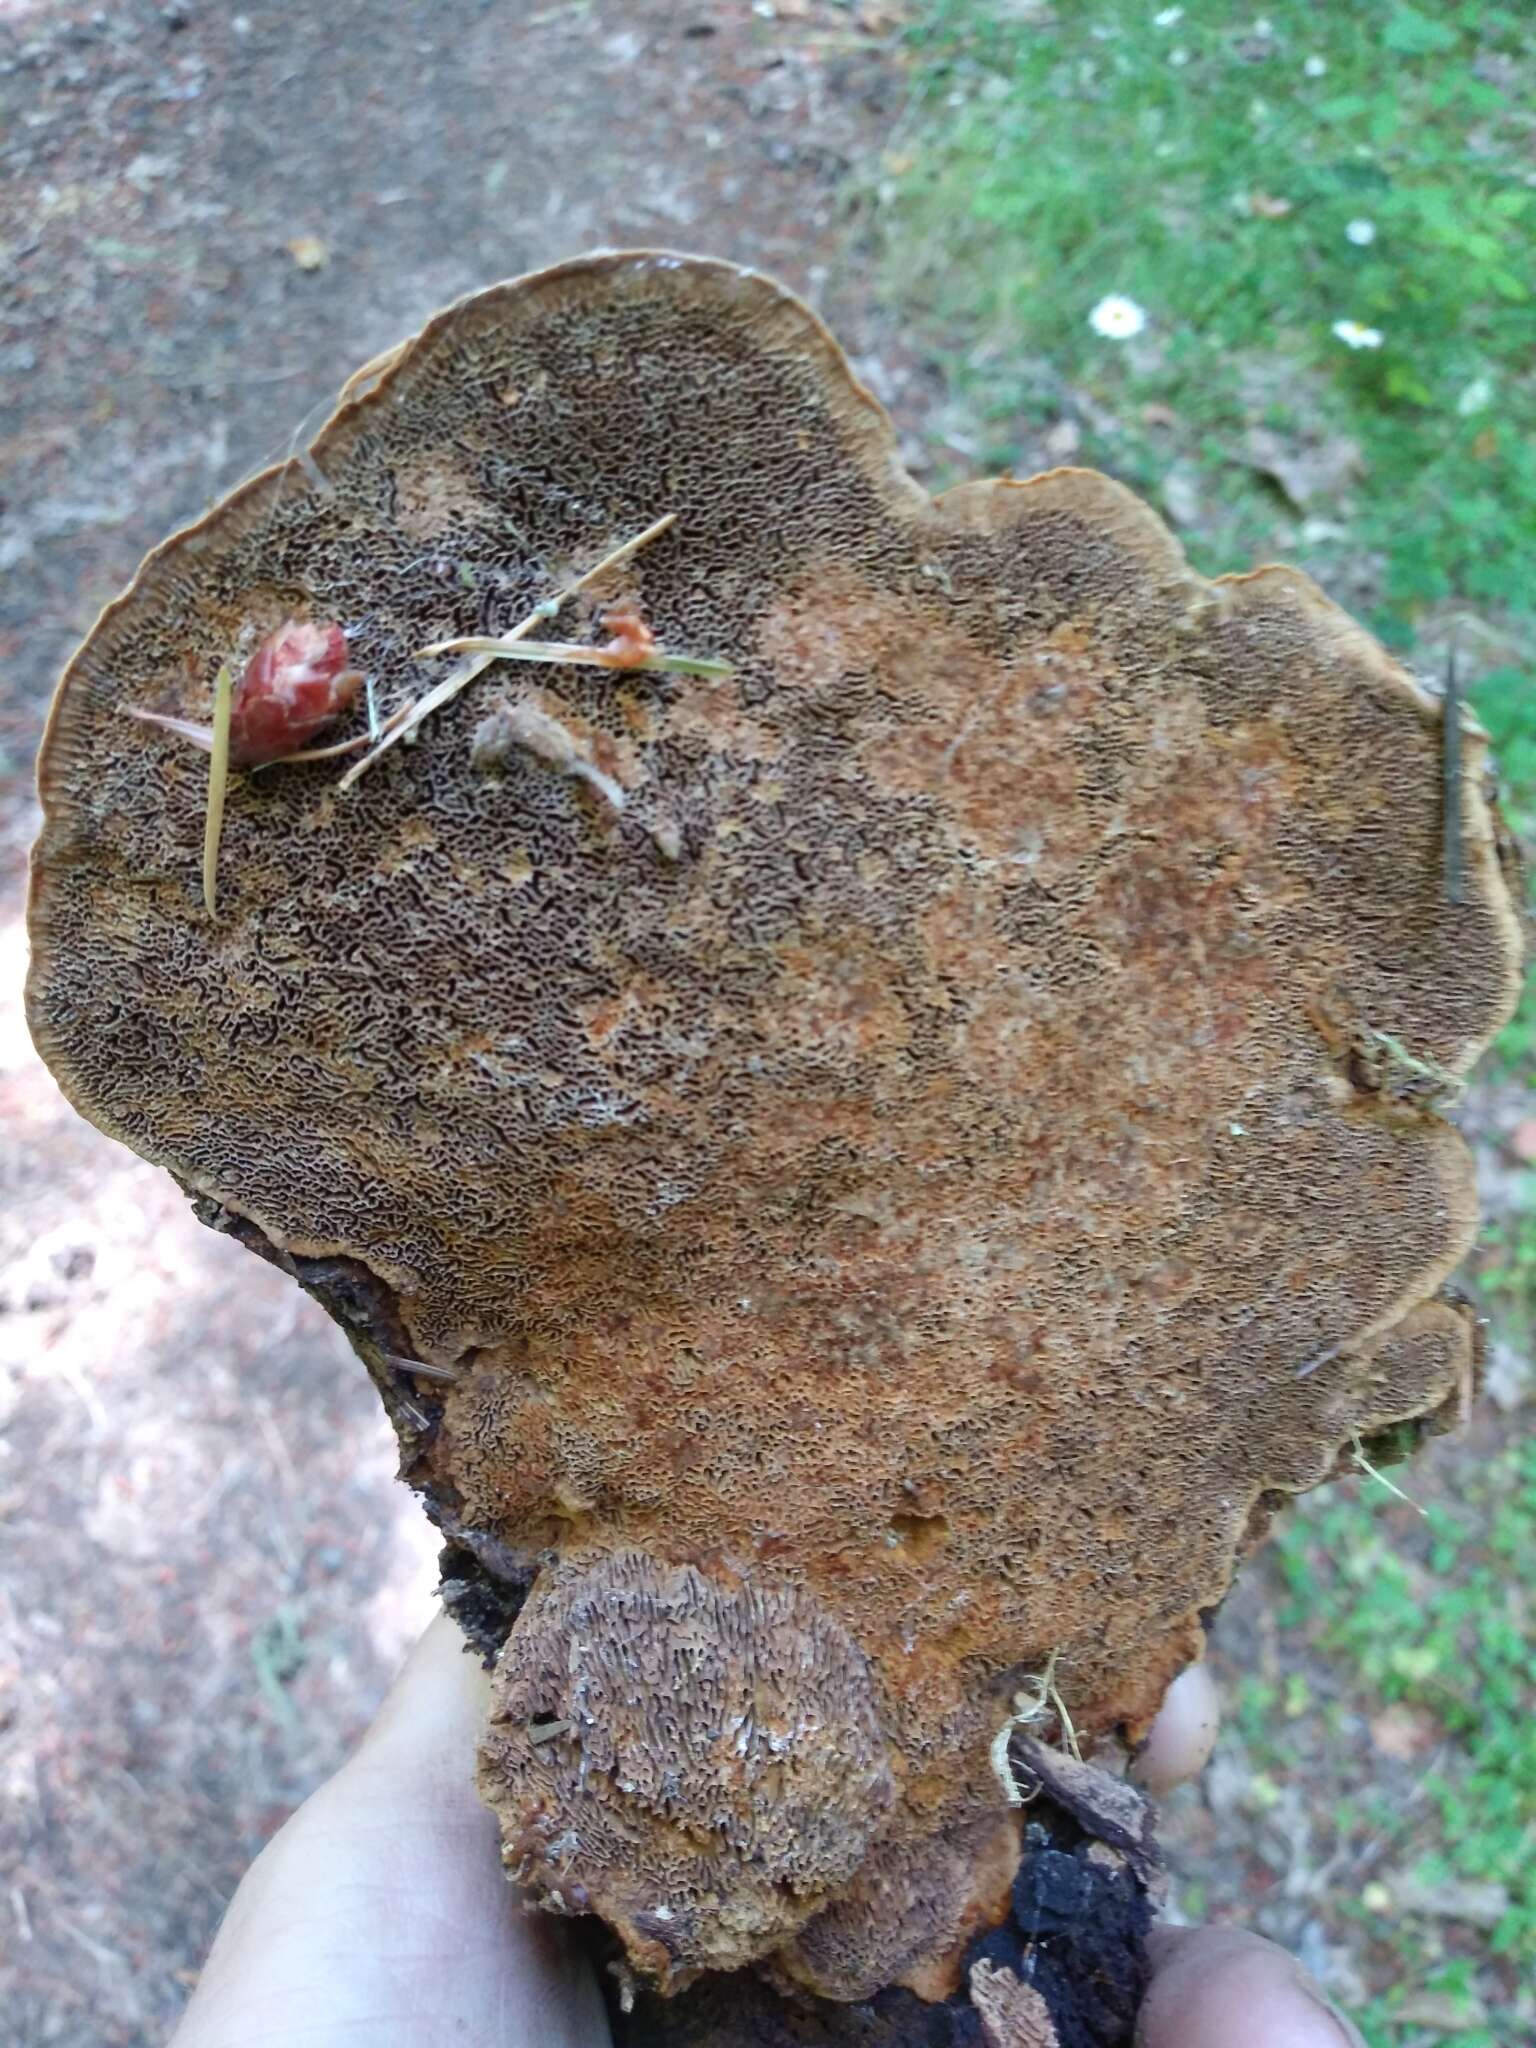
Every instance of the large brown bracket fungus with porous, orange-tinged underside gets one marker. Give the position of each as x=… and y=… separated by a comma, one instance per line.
x=867, y=1164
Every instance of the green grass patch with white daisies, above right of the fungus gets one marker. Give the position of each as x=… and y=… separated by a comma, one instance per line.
x=1250, y=187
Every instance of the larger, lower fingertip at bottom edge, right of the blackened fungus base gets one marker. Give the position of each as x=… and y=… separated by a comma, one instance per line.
x=1222, y=1986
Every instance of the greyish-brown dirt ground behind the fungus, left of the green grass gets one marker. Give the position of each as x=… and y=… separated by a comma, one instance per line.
x=210, y=216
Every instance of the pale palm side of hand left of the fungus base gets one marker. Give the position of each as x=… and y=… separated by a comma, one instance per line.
x=380, y=1916
